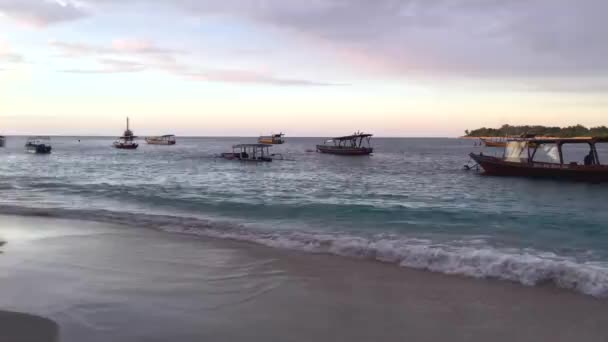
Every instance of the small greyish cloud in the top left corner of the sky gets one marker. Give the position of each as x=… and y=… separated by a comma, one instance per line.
x=41, y=13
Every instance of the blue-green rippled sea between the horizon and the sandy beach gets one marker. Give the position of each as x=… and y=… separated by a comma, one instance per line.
x=411, y=203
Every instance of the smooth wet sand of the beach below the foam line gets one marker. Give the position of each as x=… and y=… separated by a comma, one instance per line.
x=104, y=283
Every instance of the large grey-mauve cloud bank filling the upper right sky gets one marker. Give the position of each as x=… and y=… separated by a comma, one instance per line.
x=402, y=37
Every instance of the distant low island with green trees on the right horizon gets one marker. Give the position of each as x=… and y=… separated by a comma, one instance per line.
x=560, y=132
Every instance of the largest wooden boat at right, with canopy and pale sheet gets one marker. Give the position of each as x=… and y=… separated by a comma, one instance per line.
x=521, y=159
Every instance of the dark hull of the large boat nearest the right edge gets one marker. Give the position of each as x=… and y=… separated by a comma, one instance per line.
x=500, y=167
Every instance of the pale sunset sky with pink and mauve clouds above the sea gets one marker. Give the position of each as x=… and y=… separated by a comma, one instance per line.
x=306, y=68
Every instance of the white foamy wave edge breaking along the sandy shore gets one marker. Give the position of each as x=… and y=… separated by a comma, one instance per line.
x=475, y=259
